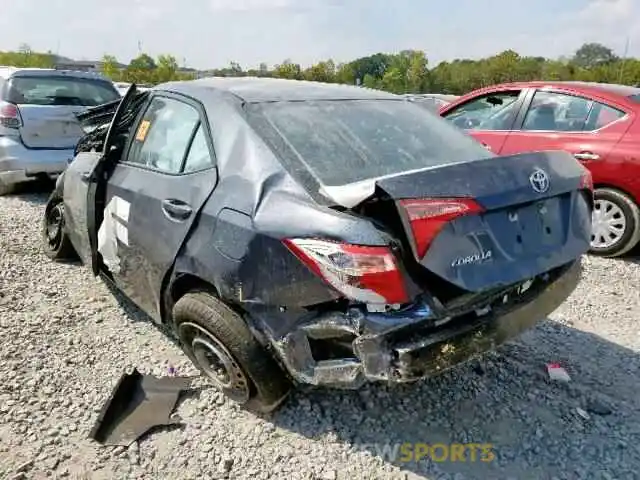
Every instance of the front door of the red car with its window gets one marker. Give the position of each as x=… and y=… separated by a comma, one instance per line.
x=488, y=117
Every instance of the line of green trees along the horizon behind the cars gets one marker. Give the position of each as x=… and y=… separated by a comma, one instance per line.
x=405, y=72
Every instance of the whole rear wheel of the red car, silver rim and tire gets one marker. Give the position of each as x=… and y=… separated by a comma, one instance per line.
x=616, y=223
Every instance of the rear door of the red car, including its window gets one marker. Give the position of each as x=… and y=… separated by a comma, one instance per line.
x=588, y=128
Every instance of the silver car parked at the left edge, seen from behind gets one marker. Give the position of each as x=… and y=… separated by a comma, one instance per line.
x=38, y=127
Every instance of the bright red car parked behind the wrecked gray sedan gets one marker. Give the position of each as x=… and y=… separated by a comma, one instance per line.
x=598, y=123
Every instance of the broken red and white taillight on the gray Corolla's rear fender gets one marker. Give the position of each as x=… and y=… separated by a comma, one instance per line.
x=362, y=273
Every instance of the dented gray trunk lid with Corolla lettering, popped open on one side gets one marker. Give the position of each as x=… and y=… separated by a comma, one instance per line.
x=520, y=234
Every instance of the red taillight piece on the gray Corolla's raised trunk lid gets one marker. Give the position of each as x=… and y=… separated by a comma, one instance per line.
x=428, y=216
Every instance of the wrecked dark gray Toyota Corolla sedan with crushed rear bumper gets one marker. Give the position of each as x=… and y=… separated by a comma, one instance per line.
x=293, y=232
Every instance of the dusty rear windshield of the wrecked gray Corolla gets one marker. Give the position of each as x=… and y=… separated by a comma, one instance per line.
x=341, y=142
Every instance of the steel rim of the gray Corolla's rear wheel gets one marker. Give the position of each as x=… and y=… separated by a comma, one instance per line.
x=215, y=361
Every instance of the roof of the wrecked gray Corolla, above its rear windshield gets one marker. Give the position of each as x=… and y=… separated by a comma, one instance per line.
x=261, y=90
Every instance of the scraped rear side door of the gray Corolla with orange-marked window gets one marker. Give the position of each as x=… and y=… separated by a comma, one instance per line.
x=154, y=195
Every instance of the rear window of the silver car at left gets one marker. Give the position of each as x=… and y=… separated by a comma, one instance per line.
x=58, y=90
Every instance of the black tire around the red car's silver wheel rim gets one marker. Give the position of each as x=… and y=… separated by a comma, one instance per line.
x=631, y=233
